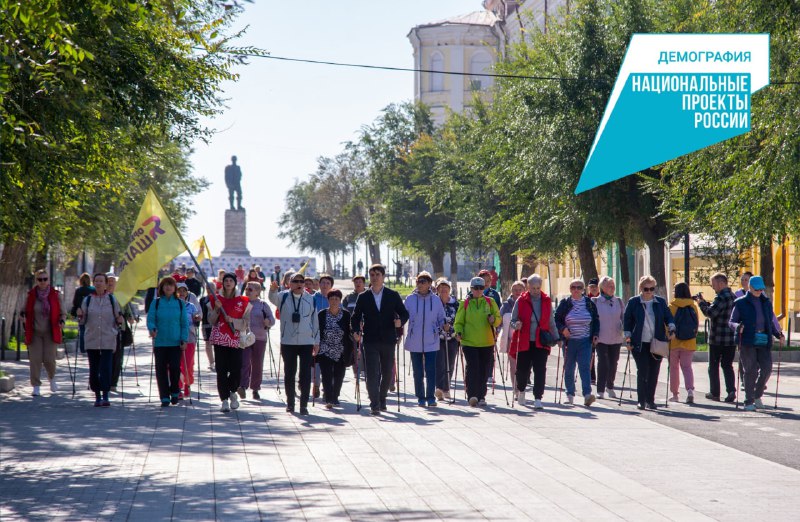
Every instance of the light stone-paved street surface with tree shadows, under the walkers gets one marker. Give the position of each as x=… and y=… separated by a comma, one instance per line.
x=62, y=459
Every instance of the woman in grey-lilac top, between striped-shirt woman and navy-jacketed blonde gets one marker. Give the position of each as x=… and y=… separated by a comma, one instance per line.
x=610, y=312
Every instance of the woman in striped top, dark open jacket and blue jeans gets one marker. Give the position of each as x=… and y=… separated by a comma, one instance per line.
x=579, y=325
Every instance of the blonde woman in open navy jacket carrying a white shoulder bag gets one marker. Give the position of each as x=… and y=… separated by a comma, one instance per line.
x=647, y=317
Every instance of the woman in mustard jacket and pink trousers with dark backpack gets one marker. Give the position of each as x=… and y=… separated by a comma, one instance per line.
x=684, y=344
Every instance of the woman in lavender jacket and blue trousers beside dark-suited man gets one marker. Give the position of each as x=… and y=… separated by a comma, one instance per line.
x=425, y=319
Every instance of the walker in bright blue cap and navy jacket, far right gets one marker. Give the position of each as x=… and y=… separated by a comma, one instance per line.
x=753, y=320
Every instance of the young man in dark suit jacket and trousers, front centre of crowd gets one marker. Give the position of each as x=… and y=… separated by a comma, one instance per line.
x=382, y=312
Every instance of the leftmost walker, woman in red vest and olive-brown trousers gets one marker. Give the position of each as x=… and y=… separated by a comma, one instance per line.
x=44, y=319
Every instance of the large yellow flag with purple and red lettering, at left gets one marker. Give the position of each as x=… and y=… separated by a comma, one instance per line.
x=154, y=242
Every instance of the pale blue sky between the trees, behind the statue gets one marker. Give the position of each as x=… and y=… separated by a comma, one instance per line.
x=282, y=116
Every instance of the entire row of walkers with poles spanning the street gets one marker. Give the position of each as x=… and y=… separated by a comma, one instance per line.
x=323, y=332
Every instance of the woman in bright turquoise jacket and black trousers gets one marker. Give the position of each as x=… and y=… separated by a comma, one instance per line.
x=169, y=328
